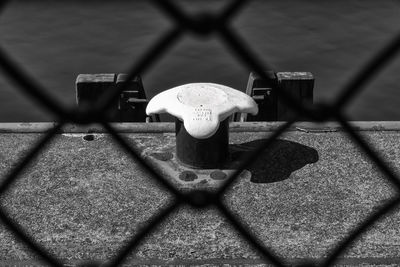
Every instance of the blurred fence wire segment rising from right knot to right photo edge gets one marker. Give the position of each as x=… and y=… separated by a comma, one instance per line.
x=367, y=72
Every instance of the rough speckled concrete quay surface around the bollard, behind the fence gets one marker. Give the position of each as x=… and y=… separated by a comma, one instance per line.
x=84, y=199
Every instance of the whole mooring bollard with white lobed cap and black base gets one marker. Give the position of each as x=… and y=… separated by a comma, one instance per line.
x=202, y=112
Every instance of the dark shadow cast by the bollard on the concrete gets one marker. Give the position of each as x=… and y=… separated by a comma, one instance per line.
x=277, y=162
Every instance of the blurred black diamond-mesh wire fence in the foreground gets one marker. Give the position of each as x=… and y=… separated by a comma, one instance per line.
x=218, y=25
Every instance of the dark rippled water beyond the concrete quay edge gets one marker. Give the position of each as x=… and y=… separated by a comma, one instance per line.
x=55, y=41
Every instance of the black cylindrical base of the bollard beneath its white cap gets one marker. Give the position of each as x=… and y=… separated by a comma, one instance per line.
x=209, y=153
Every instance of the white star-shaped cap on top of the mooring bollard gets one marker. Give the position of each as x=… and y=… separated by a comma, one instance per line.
x=201, y=106
